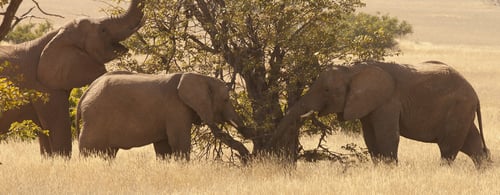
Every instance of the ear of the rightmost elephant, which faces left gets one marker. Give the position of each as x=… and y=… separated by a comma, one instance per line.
x=369, y=88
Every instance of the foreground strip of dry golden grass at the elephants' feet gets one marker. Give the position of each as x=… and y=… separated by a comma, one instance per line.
x=25, y=172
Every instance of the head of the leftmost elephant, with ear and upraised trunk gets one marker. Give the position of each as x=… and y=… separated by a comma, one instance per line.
x=77, y=52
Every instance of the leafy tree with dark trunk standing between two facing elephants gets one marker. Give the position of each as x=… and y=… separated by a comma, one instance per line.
x=267, y=51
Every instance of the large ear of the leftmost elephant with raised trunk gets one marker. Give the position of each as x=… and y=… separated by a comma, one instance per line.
x=64, y=63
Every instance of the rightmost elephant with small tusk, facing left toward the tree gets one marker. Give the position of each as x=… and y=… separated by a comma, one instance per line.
x=429, y=102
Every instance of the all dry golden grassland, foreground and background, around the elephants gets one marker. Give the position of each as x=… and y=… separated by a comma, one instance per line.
x=463, y=33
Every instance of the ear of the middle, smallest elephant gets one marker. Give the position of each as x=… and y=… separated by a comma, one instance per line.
x=194, y=90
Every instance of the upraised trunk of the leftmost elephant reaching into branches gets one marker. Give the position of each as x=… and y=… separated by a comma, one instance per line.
x=124, y=25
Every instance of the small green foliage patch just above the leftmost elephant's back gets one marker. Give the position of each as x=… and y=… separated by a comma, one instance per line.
x=28, y=32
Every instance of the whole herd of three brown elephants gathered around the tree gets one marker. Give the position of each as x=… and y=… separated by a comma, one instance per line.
x=429, y=102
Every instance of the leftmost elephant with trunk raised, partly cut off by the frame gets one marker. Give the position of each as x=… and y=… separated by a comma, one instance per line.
x=69, y=57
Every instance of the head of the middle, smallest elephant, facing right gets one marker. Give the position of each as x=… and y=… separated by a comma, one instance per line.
x=209, y=98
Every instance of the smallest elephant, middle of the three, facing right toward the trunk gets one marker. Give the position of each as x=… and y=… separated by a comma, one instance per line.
x=124, y=110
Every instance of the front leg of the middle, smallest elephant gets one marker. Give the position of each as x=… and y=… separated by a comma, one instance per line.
x=179, y=137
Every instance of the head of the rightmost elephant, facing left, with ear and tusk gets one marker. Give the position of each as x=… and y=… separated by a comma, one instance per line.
x=350, y=92
